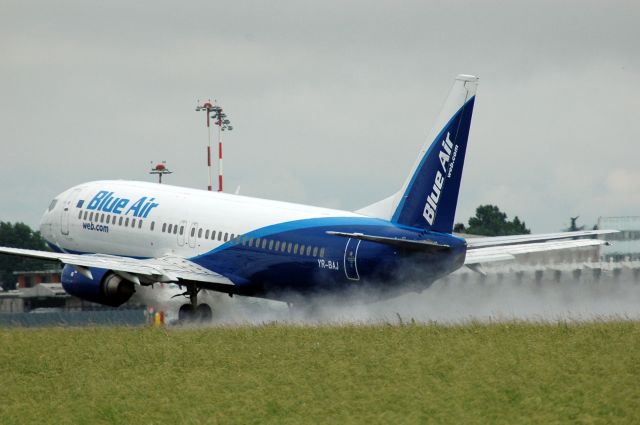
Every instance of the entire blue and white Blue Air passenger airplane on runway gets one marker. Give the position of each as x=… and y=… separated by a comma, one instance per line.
x=112, y=236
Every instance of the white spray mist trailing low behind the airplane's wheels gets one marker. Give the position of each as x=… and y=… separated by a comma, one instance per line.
x=461, y=298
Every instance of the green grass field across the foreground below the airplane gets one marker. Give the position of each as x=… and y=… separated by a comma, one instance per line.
x=496, y=373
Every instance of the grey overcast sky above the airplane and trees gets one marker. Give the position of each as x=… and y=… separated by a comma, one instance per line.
x=331, y=100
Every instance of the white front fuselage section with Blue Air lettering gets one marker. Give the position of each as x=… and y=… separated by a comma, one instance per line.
x=191, y=213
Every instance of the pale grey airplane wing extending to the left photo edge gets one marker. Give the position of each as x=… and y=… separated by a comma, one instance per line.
x=160, y=269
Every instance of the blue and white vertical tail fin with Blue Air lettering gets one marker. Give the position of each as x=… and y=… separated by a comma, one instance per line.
x=429, y=196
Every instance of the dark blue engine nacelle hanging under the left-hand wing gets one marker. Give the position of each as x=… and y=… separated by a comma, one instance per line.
x=105, y=288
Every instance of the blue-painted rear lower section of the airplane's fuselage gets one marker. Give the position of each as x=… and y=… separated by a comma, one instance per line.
x=263, y=271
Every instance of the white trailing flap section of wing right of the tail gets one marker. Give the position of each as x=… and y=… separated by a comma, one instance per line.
x=502, y=251
